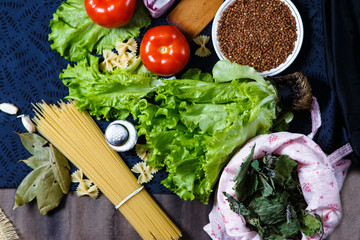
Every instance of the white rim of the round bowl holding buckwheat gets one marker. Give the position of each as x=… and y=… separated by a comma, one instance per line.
x=290, y=58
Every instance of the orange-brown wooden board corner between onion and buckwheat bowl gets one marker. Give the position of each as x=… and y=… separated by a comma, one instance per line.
x=192, y=16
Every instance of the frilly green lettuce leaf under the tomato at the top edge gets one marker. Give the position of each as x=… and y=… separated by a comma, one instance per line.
x=75, y=35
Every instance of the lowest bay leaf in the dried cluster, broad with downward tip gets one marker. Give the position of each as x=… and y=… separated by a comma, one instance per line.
x=49, y=193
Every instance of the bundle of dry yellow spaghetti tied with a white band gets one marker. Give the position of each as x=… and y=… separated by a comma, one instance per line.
x=79, y=138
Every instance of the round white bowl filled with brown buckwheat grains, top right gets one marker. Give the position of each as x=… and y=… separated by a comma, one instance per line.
x=266, y=35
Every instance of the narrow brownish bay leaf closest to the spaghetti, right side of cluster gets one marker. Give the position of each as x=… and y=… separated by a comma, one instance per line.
x=60, y=167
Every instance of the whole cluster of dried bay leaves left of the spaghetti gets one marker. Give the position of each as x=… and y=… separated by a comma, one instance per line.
x=50, y=178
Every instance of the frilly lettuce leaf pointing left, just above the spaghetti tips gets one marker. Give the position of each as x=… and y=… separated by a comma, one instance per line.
x=106, y=94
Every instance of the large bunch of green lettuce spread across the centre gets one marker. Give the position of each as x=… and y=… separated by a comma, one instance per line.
x=192, y=125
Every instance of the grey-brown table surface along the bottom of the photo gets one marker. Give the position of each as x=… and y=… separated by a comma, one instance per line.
x=84, y=218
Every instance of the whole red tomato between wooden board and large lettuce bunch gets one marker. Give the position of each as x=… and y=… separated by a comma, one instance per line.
x=164, y=50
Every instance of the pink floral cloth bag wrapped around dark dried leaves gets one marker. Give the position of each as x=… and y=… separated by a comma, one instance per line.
x=320, y=176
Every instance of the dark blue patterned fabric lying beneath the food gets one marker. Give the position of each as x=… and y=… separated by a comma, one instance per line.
x=29, y=72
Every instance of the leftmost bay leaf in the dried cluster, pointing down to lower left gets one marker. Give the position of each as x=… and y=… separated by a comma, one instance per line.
x=27, y=189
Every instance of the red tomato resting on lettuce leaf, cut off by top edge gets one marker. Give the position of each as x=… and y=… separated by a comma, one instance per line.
x=110, y=13
